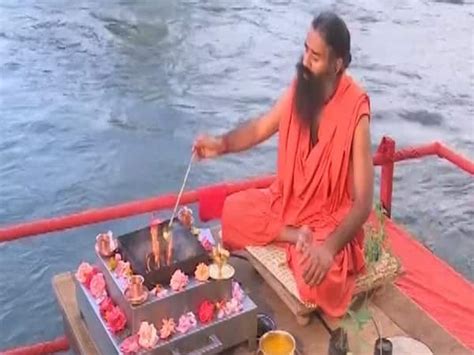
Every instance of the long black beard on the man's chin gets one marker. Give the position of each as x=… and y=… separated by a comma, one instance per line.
x=309, y=94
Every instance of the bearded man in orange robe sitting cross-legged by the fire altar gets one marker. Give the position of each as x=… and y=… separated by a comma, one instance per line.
x=323, y=190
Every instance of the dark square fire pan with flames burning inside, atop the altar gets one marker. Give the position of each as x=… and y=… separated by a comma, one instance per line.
x=157, y=251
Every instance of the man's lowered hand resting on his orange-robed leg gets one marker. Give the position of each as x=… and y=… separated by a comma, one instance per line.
x=317, y=260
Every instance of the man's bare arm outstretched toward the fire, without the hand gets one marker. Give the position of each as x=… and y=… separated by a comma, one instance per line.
x=254, y=131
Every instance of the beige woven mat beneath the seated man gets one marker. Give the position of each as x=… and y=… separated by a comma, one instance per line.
x=274, y=260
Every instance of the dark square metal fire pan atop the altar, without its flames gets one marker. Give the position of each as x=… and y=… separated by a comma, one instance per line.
x=187, y=252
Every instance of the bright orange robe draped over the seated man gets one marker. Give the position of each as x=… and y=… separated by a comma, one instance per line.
x=313, y=187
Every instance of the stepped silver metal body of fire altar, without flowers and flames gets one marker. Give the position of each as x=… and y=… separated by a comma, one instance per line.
x=211, y=338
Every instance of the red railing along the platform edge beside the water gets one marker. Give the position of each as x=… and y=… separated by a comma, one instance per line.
x=386, y=156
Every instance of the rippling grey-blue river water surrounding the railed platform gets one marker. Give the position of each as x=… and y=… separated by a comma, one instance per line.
x=100, y=102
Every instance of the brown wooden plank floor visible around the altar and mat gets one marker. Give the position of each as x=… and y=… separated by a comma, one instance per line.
x=312, y=339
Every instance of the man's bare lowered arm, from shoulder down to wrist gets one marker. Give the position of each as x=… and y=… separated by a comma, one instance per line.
x=363, y=172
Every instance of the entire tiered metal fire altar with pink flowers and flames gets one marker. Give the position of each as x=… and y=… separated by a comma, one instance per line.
x=164, y=290
